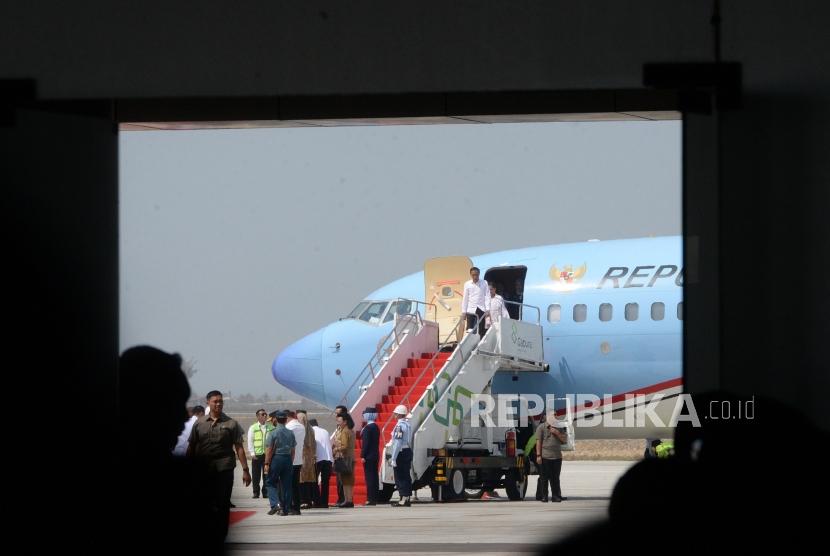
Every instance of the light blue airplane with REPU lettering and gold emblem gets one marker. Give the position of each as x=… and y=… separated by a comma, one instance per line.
x=611, y=315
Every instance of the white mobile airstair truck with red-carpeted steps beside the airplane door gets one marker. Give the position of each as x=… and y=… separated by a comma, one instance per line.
x=438, y=380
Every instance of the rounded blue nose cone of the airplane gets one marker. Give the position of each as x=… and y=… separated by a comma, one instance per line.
x=299, y=367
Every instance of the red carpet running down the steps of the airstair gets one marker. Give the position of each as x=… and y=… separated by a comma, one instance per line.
x=413, y=377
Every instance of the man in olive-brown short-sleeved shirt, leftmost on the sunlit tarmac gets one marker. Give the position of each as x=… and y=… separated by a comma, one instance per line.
x=213, y=442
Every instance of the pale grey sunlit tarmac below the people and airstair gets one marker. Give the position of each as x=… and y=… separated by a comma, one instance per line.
x=483, y=527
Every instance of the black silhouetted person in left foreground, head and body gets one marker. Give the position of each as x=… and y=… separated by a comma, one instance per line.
x=166, y=509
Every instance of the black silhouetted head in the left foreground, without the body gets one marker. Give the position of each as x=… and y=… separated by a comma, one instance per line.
x=154, y=390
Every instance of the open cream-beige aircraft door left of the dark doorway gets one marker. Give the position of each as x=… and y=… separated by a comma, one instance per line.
x=444, y=279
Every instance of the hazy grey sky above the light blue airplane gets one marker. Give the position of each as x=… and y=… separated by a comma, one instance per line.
x=235, y=243
